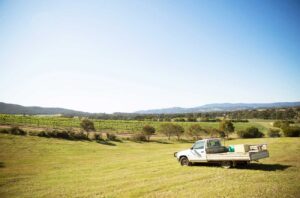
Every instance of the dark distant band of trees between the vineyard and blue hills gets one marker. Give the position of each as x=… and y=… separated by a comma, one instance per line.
x=291, y=113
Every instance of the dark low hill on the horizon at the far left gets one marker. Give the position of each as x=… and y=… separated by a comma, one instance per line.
x=34, y=110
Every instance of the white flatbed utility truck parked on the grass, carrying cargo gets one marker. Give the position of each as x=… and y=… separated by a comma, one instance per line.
x=211, y=151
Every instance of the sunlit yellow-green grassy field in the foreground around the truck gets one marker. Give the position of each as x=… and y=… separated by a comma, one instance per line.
x=41, y=167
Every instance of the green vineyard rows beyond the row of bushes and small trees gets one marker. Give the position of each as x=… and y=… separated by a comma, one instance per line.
x=118, y=126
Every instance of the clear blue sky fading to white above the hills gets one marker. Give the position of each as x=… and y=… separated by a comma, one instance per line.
x=123, y=56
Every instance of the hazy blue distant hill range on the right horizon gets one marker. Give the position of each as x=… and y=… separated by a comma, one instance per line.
x=220, y=107
